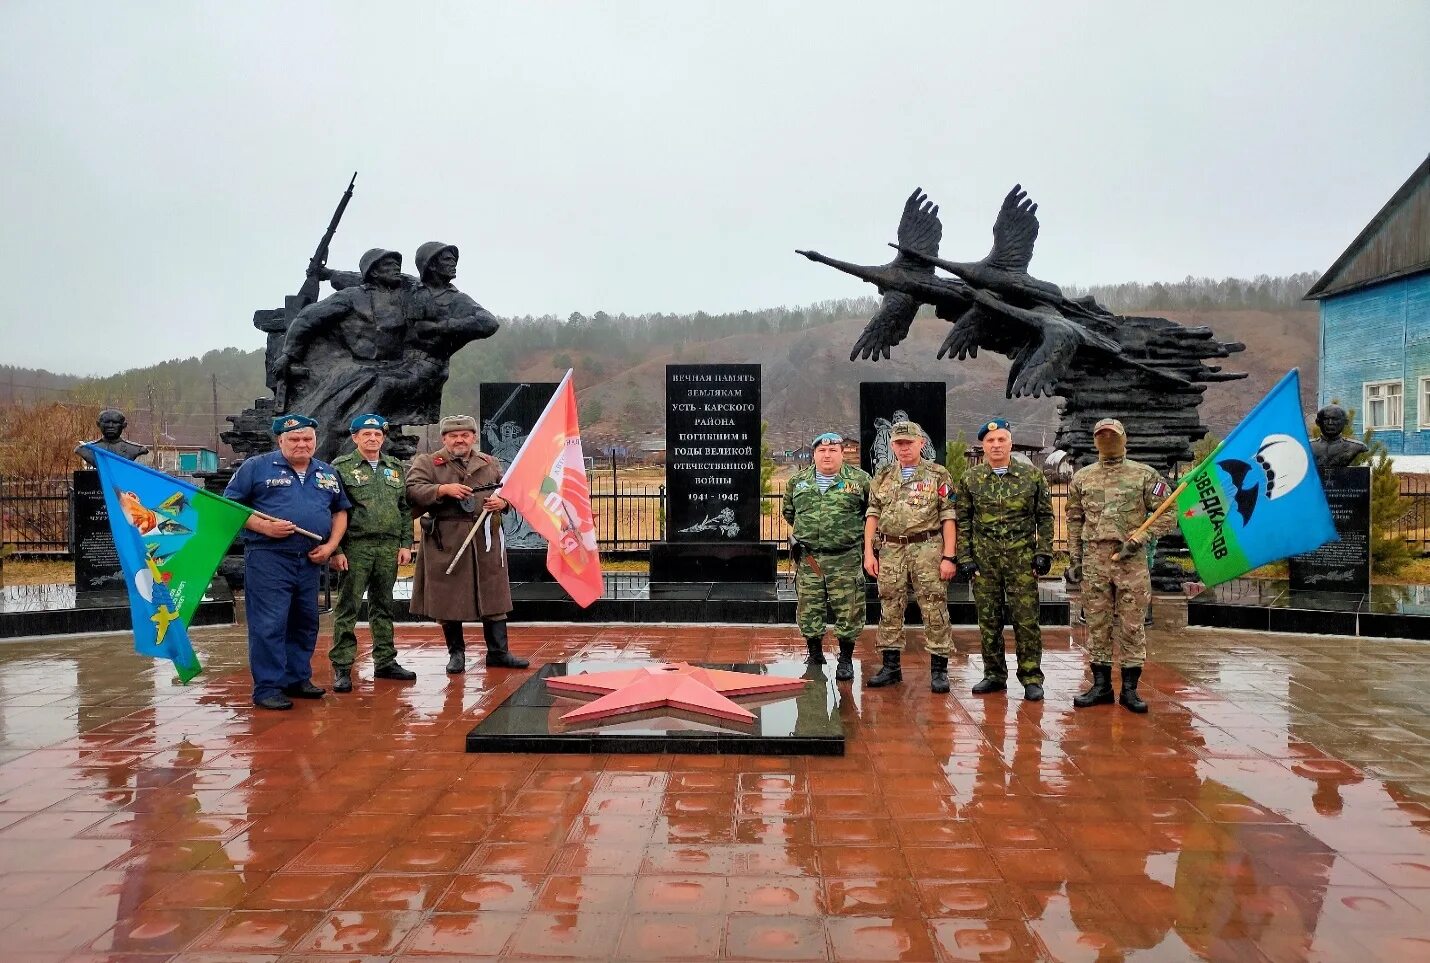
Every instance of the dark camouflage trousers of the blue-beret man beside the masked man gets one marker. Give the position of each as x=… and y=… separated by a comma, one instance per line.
x=1006, y=589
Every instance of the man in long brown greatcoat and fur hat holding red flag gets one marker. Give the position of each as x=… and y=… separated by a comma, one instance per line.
x=441, y=487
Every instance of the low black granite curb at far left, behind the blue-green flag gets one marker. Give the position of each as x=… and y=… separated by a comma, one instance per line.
x=55, y=610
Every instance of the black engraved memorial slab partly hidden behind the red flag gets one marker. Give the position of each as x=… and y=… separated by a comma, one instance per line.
x=510, y=411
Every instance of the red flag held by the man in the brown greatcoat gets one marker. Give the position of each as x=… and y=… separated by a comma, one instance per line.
x=547, y=484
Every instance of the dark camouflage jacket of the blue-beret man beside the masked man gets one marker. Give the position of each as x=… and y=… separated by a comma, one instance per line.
x=1000, y=514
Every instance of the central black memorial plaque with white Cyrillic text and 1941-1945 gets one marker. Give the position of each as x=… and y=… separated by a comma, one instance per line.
x=713, y=453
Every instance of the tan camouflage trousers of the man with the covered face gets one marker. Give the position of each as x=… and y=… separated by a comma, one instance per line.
x=1115, y=602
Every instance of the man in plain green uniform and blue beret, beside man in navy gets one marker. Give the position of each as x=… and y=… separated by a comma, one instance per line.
x=378, y=540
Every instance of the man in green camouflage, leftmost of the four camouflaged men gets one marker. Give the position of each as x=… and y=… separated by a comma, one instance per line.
x=826, y=507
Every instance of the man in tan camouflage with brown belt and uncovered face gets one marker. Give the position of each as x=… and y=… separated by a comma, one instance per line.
x=909, y=542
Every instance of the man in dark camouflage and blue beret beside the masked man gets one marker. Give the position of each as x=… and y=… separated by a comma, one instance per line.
x=1005, y=514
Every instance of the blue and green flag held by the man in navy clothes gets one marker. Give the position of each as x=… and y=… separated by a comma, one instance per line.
x=169, y=537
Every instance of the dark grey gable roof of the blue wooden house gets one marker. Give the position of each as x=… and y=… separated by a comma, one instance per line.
x=1395, y=244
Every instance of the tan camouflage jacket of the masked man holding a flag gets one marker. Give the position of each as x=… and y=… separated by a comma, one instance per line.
x=1109, y=500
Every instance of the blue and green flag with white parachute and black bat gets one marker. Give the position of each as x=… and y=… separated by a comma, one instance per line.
x=1256, y=499
